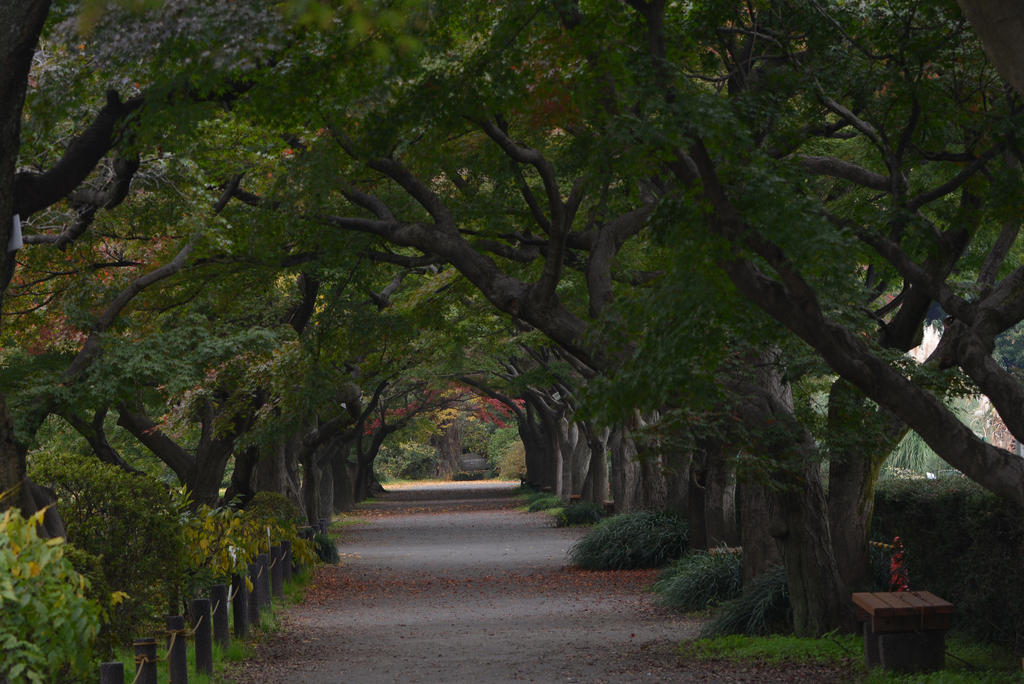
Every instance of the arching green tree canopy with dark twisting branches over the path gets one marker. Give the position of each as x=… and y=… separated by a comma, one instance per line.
x=672, y=239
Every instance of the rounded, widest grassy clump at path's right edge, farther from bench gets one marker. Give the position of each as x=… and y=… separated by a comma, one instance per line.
x=645, y=539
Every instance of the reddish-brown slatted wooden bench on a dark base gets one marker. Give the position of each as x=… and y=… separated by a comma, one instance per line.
x=905, y=631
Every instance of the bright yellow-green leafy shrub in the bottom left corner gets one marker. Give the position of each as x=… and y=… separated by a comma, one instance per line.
x=49, y=625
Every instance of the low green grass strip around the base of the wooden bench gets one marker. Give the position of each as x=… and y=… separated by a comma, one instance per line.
x=967, y=662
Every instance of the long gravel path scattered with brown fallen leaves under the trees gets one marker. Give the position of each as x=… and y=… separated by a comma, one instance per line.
x=452, y=584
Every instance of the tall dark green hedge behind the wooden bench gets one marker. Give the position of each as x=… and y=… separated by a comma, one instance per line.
x=963, y=544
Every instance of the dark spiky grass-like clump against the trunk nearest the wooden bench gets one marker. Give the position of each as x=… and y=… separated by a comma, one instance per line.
x=762, y=609
